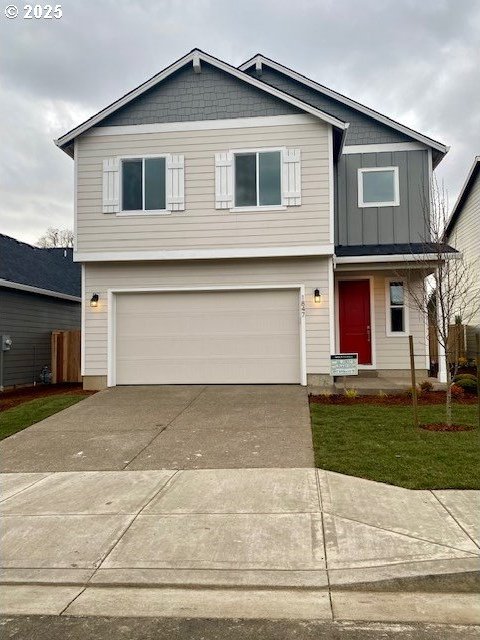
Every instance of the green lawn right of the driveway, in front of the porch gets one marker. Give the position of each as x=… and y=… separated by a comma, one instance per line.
x=380, y=443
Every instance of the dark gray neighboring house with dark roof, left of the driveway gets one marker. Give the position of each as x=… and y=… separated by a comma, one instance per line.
x=39, y=292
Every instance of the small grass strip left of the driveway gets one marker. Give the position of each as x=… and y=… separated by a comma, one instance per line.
x=26, y=414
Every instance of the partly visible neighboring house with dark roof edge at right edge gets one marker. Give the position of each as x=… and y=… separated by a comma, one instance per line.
x=463, y=232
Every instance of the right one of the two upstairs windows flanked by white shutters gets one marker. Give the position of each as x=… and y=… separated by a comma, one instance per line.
x=258, y=180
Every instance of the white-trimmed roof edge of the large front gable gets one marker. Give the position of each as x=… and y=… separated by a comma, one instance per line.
x=195, y=58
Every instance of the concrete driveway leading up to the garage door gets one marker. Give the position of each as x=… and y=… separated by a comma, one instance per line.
x=169, y=427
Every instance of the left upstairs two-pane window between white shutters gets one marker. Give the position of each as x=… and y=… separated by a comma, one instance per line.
x=143, y=184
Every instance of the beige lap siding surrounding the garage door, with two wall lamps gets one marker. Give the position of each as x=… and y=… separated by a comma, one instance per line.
x=311, y=272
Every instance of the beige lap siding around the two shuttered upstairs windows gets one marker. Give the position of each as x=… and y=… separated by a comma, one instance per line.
x=201, y=225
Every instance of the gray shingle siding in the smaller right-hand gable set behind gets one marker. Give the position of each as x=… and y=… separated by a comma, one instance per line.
x=362, y=130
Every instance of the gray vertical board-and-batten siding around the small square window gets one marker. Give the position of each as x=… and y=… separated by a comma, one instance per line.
x=383, y=225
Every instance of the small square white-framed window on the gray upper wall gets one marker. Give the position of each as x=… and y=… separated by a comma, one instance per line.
x=378, y=187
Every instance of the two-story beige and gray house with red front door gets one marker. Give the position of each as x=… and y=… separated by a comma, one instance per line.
x=240, y=225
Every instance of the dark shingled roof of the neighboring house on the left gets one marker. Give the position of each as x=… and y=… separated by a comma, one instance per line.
x=51, y=270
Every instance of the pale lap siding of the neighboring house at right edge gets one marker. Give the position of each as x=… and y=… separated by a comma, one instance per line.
x=465, y=236
